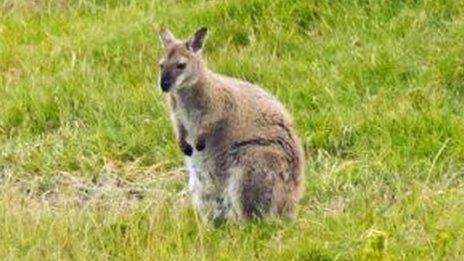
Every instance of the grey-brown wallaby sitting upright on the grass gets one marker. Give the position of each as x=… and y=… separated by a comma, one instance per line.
x=243, y=157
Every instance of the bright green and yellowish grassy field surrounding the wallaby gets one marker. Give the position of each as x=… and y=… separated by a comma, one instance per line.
x=88, y=164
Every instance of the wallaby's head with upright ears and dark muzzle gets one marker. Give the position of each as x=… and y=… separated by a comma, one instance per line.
x=181, y=65
